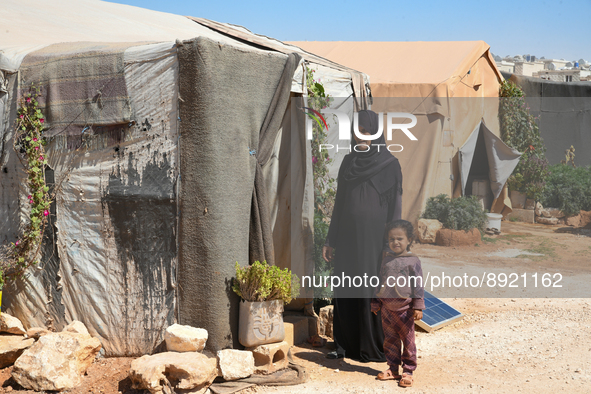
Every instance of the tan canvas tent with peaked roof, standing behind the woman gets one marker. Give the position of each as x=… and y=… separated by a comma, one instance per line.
x=451, y=87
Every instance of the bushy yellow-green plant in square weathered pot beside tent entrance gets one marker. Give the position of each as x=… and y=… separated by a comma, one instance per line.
x=264, y=290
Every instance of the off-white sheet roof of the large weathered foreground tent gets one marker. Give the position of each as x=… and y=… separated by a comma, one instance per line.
x=29, y=25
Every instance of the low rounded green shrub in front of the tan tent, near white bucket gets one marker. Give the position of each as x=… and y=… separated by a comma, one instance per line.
x=463, y=213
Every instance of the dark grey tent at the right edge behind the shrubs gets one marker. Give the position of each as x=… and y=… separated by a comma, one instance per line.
x=564, y=111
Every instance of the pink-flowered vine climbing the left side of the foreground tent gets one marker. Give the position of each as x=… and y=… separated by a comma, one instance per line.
x=29, y=144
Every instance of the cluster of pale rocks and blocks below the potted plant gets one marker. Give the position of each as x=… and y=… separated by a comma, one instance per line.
x=187, y=366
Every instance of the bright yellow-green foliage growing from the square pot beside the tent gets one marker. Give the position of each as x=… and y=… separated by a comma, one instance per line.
x=262, y=282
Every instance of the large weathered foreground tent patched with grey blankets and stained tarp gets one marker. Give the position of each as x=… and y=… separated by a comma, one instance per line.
x=171, y=157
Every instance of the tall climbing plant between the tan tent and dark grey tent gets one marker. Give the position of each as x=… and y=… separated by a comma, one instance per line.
x=519, y=130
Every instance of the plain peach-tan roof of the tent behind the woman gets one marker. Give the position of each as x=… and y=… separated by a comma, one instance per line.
x=417, y=62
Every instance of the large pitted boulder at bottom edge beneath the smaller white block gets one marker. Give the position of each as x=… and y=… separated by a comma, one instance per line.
x=182, y=371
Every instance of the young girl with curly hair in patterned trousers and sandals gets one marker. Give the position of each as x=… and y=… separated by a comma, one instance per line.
x=400, y=298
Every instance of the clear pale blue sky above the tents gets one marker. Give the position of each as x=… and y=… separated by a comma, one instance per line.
x=553, y=29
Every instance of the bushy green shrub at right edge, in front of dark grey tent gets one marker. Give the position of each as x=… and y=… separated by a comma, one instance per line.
x=568, y=189
